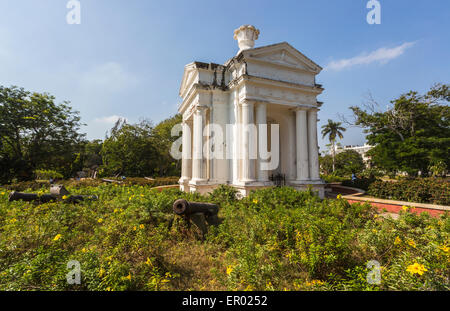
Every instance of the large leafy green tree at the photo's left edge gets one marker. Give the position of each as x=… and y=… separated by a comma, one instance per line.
x=36, y=133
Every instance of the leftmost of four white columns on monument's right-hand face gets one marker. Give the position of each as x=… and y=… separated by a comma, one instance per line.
x=248, y=167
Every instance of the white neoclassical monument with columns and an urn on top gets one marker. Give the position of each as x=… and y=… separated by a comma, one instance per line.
x=251, y=122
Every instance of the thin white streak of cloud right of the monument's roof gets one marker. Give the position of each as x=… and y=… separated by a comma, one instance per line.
x=382, y=56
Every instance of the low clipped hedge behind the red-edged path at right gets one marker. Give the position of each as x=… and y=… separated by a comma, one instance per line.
x=420, y=190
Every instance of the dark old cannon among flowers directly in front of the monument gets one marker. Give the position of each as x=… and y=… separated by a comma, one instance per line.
x=199, y=213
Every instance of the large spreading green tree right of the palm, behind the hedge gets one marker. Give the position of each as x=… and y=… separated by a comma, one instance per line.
x=411, y=134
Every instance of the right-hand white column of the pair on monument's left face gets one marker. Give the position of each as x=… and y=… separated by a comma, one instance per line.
x=197, y=161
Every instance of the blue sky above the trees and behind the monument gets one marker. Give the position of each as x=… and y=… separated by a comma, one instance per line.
x=126, y=58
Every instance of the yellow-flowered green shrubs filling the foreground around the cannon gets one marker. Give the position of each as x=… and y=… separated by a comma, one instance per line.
x=274, y=239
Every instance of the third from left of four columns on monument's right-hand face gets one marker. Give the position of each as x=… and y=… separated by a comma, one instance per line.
x=302, y=144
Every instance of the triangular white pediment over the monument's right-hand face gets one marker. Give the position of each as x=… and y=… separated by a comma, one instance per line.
x=282, y=54
